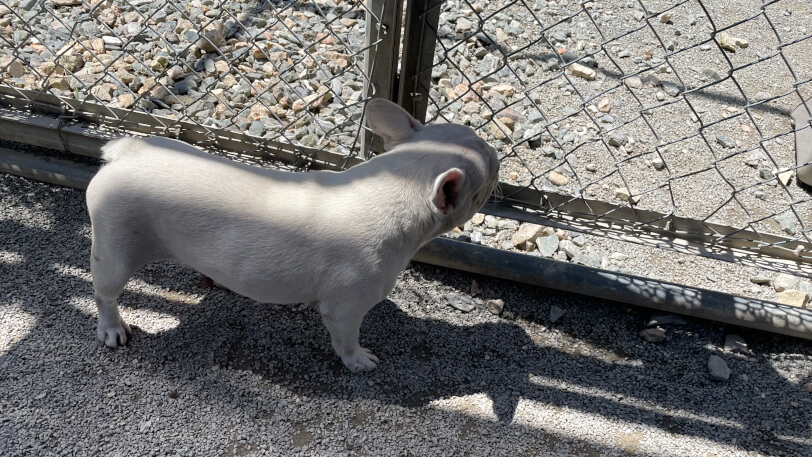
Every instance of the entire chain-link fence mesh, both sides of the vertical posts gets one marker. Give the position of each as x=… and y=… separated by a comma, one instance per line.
x=672, y=116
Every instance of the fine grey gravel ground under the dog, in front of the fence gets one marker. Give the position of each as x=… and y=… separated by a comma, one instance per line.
x=212, y=373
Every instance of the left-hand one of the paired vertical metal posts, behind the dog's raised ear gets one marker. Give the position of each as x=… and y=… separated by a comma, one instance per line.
x=383, y=23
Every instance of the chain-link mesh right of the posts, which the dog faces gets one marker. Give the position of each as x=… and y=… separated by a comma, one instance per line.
x=662, y=109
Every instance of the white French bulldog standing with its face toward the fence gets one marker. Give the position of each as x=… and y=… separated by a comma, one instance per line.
x=338, y=239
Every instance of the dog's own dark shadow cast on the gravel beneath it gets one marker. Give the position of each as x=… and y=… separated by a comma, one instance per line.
x=422, y=359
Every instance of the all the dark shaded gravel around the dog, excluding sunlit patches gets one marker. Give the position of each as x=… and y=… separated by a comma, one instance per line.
x=592, y=360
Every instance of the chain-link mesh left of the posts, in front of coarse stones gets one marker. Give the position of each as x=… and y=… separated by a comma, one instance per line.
x=276, y=71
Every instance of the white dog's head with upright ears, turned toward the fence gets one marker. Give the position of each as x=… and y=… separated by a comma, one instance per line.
x=464, y=168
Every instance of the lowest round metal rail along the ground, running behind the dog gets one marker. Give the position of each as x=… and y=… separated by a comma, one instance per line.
x=627, y=289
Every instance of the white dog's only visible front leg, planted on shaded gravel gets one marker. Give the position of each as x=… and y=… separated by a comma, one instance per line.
x=343, y=321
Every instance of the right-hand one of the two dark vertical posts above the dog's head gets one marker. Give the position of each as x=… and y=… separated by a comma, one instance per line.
x=419, y=40
